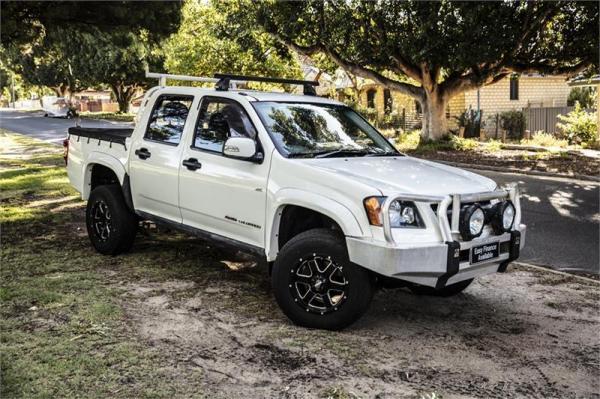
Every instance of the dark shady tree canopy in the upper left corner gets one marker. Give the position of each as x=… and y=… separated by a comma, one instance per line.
x=69, y=45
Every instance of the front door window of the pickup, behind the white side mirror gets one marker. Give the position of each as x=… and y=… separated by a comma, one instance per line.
x=219, y=119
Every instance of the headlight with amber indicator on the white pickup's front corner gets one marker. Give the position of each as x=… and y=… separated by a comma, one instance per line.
x=401, y=213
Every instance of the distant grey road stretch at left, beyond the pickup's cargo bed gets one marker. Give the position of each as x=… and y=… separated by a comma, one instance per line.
x=50, y=129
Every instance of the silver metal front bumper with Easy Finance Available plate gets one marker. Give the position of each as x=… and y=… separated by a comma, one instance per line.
x=434, y=265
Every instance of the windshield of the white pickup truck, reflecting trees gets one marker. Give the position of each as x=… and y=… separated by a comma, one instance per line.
x=318, y=130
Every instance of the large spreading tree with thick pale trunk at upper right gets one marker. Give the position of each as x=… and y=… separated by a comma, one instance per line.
x=433, y=51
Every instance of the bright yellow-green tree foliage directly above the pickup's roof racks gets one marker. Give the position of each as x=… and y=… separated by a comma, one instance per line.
x=196, y=49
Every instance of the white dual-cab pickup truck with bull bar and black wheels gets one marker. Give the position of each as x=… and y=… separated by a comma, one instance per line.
x=306, y=185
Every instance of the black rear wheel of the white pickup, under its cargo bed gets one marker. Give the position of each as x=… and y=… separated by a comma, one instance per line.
x=122, y=223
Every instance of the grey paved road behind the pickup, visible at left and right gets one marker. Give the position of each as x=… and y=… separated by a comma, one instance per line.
x=562, y=214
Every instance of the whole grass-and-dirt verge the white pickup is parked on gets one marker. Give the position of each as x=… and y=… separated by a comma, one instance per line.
x=175, y=318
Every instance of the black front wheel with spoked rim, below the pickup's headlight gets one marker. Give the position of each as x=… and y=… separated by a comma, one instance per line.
x=316, y=285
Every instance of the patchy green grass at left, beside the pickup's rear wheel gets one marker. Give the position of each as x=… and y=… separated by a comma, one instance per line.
x=63, y=331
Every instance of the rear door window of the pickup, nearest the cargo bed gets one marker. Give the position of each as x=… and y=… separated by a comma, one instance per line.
x=168, y=119
